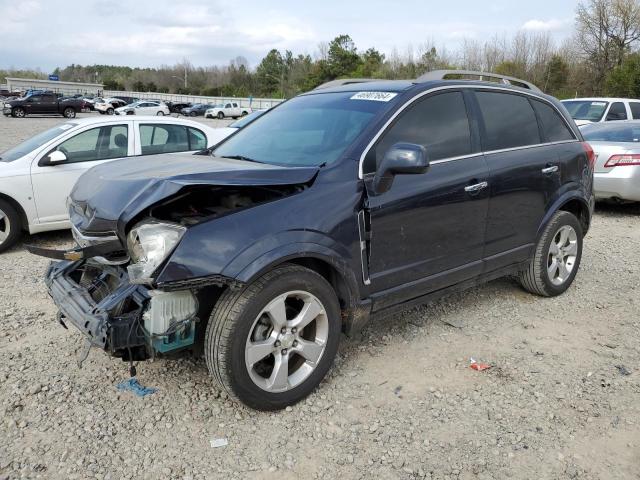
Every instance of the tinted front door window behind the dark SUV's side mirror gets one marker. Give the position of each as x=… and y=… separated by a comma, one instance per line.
x=439, y=123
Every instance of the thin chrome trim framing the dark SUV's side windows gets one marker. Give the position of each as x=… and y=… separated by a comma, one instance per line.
x=409, y=102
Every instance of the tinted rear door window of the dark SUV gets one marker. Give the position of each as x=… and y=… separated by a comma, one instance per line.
x=509, y=121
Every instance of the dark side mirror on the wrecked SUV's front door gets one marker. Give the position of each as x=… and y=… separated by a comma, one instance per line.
x=400, y=159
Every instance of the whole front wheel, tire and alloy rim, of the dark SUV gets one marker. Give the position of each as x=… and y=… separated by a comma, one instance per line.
x=270, y=344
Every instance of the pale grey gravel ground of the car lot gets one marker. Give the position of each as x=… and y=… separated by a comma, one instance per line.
x=561, y=400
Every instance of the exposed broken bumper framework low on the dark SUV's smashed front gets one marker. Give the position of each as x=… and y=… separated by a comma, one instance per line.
x=112, y=313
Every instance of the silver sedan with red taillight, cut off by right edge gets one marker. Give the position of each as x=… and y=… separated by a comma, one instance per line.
x=617, y=149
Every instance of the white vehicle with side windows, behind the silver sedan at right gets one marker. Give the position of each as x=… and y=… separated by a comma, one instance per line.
x=594, y=110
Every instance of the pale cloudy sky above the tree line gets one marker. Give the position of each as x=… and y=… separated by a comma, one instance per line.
x=50, y=33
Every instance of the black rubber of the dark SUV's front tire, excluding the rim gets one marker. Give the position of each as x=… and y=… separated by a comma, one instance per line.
x=237, y=314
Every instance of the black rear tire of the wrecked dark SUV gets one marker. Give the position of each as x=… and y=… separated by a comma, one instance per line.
x=536, y=278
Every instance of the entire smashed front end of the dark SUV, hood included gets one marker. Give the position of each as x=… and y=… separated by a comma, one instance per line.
x=128, y=223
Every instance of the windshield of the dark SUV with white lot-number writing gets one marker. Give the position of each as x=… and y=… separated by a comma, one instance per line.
x=305, y=131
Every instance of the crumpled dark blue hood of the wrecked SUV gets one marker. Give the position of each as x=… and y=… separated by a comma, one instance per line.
x=109, y=195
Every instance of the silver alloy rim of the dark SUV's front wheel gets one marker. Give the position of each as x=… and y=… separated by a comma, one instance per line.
x=286, y=341
